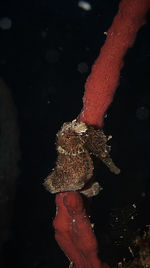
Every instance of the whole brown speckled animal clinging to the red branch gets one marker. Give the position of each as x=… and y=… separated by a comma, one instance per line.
x=76, y=145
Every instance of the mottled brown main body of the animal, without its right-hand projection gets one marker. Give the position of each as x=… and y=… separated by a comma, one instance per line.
x=74, y=166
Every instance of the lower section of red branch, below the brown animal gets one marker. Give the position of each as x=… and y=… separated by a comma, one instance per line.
x=74, y=233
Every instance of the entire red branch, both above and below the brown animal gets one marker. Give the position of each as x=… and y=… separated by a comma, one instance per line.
x=73, y=229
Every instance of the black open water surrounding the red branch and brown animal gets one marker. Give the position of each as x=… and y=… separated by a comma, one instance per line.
x=39, y=60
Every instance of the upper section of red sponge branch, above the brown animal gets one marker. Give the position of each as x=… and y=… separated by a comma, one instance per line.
x=104, y=78
